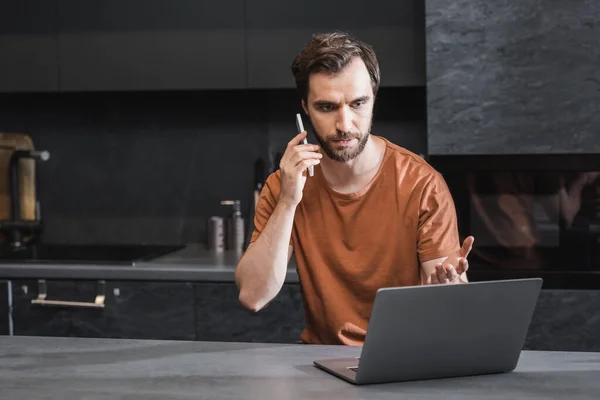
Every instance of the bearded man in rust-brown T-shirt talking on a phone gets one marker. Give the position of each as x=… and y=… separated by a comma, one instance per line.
x=373, y=215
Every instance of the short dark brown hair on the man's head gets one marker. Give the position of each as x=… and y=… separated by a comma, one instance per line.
x=332, y=52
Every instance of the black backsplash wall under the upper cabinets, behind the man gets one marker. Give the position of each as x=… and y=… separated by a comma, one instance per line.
x=151, y=167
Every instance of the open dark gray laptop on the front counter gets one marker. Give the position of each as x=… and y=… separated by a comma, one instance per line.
x=442, y=331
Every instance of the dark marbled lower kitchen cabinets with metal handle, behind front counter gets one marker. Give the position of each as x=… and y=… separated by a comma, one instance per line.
x=564, y=320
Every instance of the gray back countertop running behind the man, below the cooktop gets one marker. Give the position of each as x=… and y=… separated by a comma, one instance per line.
x=191, y=264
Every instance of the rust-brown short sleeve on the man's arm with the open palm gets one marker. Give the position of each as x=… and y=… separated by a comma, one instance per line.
x=437, y=234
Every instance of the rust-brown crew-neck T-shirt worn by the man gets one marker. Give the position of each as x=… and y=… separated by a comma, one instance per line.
x=347, y=246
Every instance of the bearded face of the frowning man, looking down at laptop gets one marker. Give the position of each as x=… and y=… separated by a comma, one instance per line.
x=340, y=108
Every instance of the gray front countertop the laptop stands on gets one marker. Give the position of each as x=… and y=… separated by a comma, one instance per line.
x=60, y=368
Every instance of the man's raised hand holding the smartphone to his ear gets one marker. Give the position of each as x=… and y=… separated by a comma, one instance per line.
x=296, y=159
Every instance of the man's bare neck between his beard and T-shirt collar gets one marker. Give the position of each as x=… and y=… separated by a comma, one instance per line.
x=344, y=176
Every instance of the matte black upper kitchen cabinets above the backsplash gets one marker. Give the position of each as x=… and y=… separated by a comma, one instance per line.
x=114, y=45
